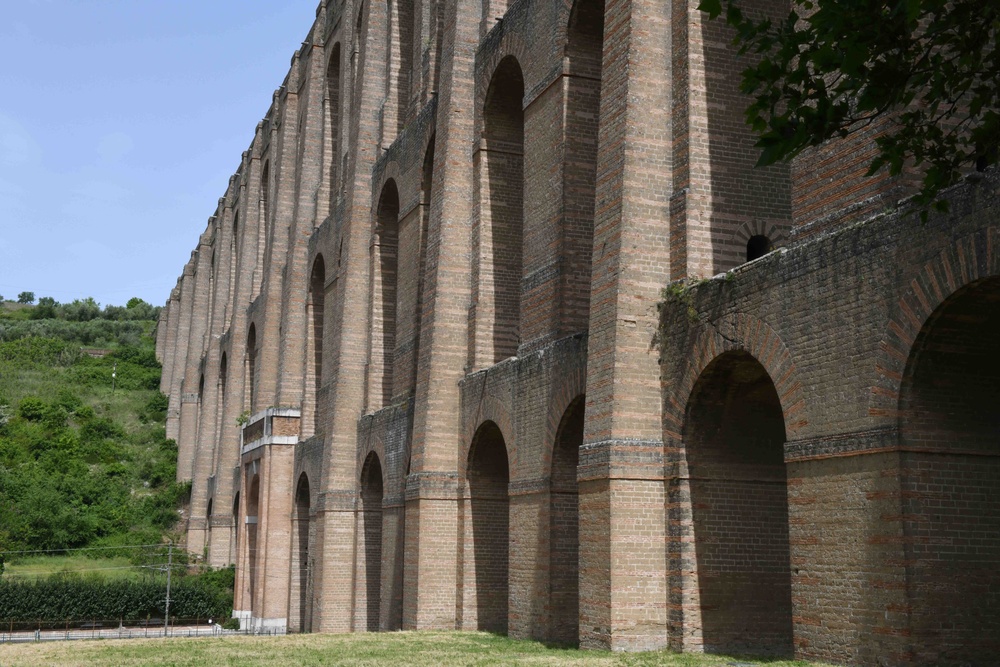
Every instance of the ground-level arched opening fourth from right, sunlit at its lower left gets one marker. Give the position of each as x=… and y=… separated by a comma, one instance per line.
x=487, y=564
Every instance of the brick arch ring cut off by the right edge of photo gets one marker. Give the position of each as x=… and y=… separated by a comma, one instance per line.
x=968, y=259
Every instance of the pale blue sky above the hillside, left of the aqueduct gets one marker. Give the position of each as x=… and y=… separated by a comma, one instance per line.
x=120, y=124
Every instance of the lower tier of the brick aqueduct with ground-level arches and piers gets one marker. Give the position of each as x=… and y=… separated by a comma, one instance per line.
x=828, y=485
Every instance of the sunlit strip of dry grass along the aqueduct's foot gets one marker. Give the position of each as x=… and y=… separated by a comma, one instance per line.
x=398, y=649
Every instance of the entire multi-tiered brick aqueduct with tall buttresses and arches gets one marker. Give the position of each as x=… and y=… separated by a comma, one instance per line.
x=432, y=363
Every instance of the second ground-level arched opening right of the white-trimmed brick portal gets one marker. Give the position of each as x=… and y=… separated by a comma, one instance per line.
x=369, y=599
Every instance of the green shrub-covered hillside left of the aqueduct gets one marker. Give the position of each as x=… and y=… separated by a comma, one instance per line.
x=84, y=460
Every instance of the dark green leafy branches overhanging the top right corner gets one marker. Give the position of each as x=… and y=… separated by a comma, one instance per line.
x=930, y=68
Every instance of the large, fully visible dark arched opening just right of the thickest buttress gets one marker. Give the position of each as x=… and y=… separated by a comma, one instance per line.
x=734, y=439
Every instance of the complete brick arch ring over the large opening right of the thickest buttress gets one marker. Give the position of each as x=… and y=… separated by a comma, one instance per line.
x=757, y=338
